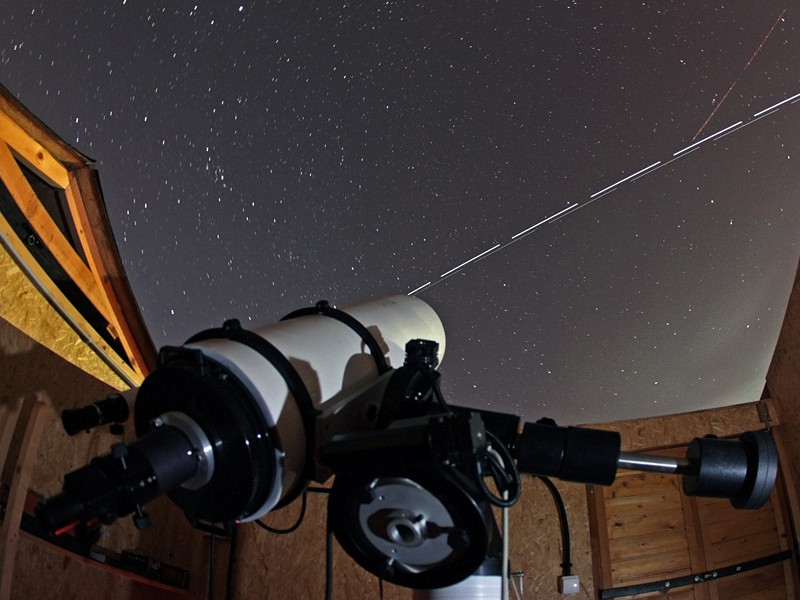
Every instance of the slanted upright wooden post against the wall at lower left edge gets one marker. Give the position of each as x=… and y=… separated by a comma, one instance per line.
x=9, y=532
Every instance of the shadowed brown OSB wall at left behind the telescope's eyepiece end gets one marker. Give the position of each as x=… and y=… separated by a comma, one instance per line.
x=31, y=373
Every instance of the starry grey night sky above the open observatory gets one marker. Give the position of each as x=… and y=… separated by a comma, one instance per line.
x=256, y=158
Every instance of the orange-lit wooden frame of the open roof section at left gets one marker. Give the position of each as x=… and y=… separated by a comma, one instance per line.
x=102, y=278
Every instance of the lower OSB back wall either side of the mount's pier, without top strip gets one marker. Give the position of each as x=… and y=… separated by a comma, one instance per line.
x=293, y=566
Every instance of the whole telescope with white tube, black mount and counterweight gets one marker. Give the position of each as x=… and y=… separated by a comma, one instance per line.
x=236, y=423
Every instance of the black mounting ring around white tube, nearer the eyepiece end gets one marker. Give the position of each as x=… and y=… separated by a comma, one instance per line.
x=232, y=330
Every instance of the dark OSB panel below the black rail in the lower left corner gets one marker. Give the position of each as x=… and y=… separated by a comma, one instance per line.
x=42, y=573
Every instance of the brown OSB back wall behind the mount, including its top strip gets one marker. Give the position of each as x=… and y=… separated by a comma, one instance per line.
x=274, y=565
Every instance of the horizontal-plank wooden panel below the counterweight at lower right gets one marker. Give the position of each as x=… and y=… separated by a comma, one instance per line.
x=647, y=530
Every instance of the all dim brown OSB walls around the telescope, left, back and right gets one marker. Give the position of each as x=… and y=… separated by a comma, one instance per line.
x=270, y=566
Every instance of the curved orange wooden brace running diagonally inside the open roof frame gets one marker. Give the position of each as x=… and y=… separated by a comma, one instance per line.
x=48, y=231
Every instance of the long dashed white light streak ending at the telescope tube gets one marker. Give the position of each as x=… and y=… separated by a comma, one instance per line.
x=575, y=206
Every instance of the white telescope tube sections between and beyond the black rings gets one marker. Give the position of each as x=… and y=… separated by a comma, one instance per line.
x=331, y=359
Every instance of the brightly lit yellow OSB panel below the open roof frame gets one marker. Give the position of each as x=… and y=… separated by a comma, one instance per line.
x=22, y=305
